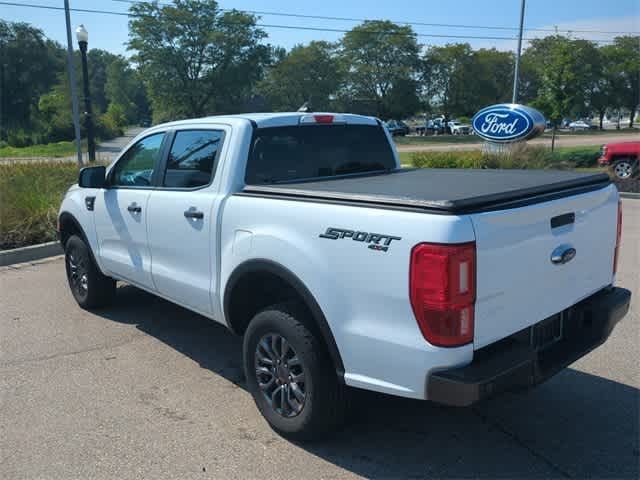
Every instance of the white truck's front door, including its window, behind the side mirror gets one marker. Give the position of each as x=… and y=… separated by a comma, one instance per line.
x=120, y=212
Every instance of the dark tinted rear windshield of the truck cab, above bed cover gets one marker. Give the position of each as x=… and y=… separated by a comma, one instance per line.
x=292, y=153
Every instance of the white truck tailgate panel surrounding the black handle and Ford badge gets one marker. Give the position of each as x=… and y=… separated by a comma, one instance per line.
x=517, y=284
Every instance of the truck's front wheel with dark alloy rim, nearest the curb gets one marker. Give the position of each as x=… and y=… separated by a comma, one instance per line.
x=89, y=286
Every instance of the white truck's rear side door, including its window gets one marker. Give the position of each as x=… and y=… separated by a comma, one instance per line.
x=183, y=216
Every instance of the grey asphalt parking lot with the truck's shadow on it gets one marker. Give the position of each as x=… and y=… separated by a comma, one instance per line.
x=146, y=389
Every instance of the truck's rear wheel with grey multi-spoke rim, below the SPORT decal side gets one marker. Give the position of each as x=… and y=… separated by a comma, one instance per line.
x=290, y=375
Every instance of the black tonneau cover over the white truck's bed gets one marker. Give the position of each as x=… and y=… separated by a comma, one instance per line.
x=448, y=191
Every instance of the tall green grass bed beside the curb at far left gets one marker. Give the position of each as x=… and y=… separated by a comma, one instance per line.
x=30, y=195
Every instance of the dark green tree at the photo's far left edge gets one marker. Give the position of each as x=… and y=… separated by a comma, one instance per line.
x=29, y=64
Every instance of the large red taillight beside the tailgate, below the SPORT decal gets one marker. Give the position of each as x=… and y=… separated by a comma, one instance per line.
x=442, y=286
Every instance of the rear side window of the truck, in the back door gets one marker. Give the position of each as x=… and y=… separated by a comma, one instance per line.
x=192, y=159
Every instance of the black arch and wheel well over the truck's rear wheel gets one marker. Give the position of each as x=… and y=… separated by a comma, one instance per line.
x=251, y=272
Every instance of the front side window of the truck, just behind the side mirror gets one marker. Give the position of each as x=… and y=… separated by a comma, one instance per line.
x=135, y=168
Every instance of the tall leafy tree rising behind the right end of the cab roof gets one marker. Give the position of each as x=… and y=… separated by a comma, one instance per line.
x=380, y=59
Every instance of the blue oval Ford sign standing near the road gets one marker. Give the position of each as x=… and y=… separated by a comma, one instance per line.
x=508, y=122
